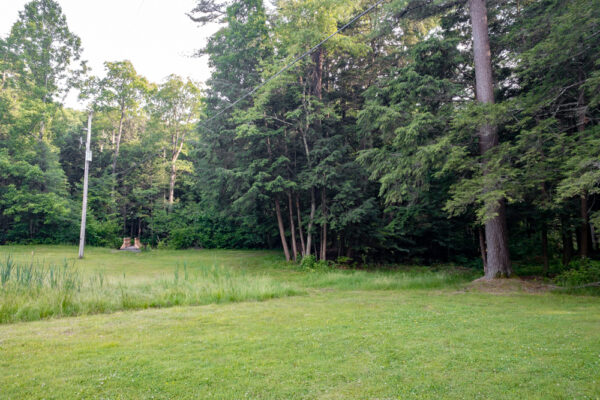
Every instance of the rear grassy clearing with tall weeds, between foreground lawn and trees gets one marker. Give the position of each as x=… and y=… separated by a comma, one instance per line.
x=33, y=287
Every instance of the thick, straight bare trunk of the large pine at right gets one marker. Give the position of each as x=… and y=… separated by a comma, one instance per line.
x=496, y=235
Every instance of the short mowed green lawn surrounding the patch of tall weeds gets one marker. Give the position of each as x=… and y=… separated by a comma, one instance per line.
x=336, y=335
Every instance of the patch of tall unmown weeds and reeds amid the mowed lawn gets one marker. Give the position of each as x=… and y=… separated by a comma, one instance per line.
x=33, y=291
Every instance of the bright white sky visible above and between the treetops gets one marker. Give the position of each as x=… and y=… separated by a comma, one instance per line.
x=155, y=35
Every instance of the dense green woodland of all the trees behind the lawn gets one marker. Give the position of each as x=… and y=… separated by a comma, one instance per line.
x=423, y=132
